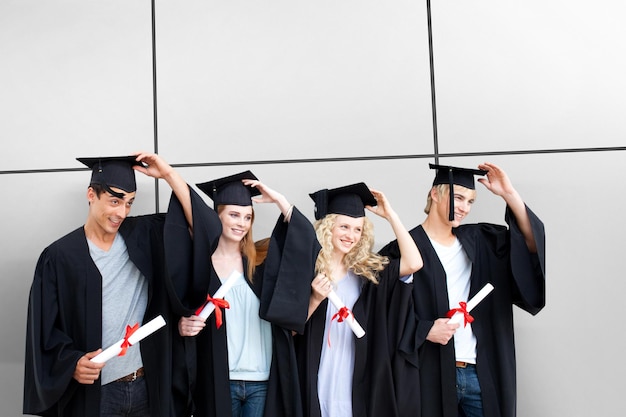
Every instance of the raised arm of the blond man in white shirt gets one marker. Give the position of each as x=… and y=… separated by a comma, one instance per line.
x=499, y=183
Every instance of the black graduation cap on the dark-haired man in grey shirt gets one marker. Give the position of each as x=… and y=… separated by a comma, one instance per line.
x=113, y=171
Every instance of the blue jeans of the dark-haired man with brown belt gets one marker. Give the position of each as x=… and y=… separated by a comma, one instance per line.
x=125, y=399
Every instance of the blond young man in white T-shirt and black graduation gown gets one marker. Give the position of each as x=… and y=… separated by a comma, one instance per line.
x=468, y=370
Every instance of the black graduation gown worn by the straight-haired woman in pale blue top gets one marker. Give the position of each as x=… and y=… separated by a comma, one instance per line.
x=284, y=298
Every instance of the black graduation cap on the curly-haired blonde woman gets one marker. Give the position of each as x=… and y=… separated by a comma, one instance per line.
x=349, y=200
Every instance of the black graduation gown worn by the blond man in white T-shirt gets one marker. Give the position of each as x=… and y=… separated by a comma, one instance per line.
x=499, y=256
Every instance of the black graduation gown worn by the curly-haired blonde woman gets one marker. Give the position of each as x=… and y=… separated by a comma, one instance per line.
x=385, y=380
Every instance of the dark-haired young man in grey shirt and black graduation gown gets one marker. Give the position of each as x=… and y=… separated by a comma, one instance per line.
x=92, y=283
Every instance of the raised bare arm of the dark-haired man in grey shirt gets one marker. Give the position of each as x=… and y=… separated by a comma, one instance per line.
x=156, y=167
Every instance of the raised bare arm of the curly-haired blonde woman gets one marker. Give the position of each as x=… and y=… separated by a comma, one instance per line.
x=410, y=257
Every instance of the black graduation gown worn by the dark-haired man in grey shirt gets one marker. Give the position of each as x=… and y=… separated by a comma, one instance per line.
x=65, y=321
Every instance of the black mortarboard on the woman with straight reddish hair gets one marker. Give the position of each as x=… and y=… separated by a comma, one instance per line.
x=230, y=190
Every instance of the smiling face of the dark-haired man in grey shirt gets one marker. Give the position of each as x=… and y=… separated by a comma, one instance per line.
x=107, y=212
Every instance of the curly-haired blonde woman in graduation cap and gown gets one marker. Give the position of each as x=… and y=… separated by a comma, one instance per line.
x=340, y=374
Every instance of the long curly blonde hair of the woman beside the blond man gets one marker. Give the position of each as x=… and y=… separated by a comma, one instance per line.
x=360, y=260
